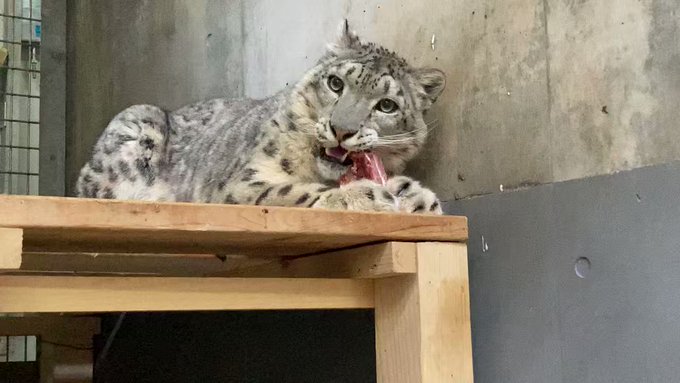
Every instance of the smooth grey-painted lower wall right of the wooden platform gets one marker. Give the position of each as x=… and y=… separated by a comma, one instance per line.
x=535, y=320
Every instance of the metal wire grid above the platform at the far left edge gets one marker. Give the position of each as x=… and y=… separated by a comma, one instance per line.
x=20, y=34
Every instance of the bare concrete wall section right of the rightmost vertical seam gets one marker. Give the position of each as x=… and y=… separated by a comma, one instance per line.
x=623, y=58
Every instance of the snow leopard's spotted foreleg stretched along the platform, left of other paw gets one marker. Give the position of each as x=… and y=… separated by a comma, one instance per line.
x=359, y=196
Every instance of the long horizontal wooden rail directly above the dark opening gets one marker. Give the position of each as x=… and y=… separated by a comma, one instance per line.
x=43, y=294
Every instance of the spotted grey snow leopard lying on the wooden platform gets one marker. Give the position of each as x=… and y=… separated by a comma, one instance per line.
x=289, y=149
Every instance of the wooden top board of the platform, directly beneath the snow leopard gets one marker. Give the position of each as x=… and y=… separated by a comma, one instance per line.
x=53, y=224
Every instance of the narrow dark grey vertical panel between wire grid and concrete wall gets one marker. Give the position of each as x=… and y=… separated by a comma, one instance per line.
x=53, y=99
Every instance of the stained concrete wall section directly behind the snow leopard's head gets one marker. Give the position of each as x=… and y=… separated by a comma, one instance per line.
x=488, y=127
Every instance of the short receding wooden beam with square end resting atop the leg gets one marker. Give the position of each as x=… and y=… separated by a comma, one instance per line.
x=372, y=261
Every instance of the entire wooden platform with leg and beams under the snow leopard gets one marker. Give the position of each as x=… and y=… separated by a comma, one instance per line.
x=60, y=255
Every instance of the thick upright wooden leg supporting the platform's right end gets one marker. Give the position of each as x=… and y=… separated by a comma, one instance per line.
x=423, y=320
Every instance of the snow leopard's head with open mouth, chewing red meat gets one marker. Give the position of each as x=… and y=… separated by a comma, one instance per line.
x=359, y=97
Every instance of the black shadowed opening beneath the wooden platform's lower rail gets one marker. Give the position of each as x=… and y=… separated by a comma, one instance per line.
x=225, y=347
